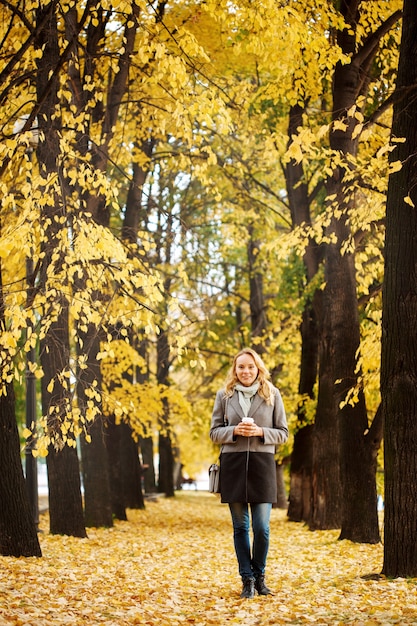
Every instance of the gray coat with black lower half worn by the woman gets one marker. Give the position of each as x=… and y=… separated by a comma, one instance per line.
x=247, y=464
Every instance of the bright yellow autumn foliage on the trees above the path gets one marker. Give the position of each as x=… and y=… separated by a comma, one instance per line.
x=211, y=84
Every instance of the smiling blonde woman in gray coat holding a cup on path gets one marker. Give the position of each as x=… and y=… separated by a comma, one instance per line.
x=249, y=421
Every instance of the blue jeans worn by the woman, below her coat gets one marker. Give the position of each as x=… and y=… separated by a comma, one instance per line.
x=251, y=565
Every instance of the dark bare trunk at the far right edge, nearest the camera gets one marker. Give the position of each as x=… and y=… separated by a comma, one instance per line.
x=399, y=336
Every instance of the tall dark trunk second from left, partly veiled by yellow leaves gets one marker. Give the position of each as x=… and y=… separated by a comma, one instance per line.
x=65, y=504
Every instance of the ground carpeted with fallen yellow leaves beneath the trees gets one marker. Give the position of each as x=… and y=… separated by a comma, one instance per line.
x=174, y=564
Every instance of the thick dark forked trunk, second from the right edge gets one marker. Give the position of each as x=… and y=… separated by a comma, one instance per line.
x=340, y=334
